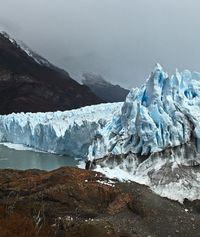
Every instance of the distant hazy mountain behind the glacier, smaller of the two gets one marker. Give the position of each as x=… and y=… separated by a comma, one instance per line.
x=103, y=89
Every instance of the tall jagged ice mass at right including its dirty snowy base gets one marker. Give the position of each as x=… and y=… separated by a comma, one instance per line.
x=155, y=140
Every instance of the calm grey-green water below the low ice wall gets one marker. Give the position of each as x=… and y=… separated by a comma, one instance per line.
x=14, y=159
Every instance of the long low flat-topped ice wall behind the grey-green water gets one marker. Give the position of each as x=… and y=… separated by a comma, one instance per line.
x=70, y=132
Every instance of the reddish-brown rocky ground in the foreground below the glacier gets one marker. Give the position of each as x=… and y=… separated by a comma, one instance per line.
x=75, y=202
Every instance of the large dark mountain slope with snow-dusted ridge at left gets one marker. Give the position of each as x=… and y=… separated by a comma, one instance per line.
x=29, y=83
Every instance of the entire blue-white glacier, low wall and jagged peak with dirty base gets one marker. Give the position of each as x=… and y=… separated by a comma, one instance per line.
x=153, y=138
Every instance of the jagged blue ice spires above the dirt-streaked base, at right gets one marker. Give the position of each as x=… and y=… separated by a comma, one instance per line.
x=163, y=113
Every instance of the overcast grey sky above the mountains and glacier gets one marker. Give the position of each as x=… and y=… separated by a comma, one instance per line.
x=120, y=39
